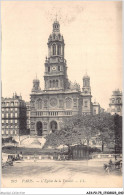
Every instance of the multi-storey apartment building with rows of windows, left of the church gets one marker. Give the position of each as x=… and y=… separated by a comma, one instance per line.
x=13, y=116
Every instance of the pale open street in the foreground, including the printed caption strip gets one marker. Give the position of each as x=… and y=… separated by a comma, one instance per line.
x=60, y=174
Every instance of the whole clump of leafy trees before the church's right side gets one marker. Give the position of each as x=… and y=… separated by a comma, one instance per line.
x=80, y=129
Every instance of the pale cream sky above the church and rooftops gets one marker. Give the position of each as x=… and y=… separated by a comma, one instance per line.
x=93, y=42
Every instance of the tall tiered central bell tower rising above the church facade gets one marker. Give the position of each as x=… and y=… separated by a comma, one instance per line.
x=55, y=75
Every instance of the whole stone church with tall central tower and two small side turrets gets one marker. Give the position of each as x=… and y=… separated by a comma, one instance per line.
x=60, y=97
